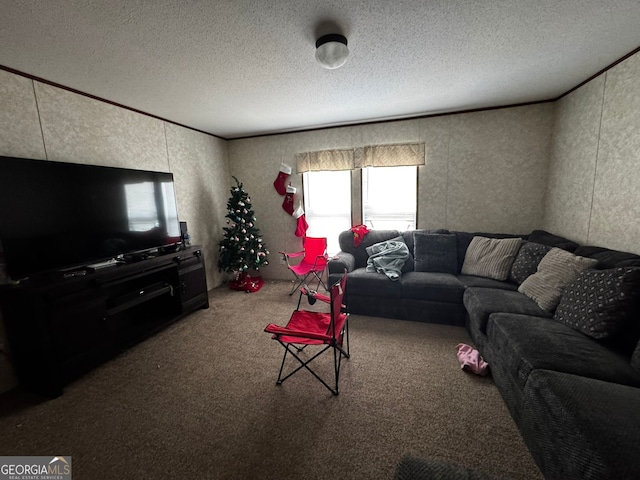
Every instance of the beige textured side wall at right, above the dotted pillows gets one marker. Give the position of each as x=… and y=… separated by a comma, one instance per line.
x=593, y=193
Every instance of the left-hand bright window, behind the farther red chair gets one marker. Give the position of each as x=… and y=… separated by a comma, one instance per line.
x=327, y=198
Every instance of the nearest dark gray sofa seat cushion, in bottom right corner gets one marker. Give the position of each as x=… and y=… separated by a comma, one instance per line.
x=577, y=427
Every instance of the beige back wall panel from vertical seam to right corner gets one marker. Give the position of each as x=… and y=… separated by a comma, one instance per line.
x=497, y=174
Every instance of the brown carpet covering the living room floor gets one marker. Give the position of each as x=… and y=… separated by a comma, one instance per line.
x=199, y=400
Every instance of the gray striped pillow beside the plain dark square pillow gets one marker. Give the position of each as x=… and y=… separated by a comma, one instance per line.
x=490, y=257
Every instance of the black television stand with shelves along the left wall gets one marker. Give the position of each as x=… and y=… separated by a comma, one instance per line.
x=60, y=327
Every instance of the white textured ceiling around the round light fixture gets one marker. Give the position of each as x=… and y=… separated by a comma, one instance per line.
x=237, y=68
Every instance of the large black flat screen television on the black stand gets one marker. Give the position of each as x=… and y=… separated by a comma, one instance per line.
x=56, y=215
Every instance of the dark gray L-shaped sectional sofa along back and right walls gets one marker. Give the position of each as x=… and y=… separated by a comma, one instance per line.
x=571, y=385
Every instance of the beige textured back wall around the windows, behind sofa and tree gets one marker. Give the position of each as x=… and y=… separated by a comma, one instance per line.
x=483, y=171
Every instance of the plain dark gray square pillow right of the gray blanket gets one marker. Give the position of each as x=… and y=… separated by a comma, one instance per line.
x=434, y=253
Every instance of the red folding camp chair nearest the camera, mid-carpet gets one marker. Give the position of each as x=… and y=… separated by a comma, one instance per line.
x=329, y=331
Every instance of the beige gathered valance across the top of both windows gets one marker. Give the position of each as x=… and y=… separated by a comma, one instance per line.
x=393, y=155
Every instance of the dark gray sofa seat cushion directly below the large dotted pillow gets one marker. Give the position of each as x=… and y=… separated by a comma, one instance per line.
x=524, y=343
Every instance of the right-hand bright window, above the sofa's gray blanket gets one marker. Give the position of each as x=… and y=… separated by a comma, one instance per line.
x=389, y=197
